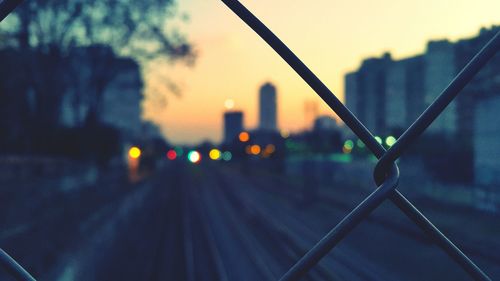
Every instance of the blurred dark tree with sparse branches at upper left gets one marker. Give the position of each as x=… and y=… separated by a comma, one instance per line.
x=47, y=31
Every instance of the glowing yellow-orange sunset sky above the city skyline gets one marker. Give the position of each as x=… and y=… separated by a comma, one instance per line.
x=330, y=36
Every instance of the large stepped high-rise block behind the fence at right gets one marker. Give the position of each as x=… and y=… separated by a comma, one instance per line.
x=388, y=95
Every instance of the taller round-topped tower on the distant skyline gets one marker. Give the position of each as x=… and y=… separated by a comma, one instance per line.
x=267, y=108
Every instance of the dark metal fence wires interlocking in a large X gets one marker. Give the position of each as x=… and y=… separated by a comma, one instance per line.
x=383, y=175
